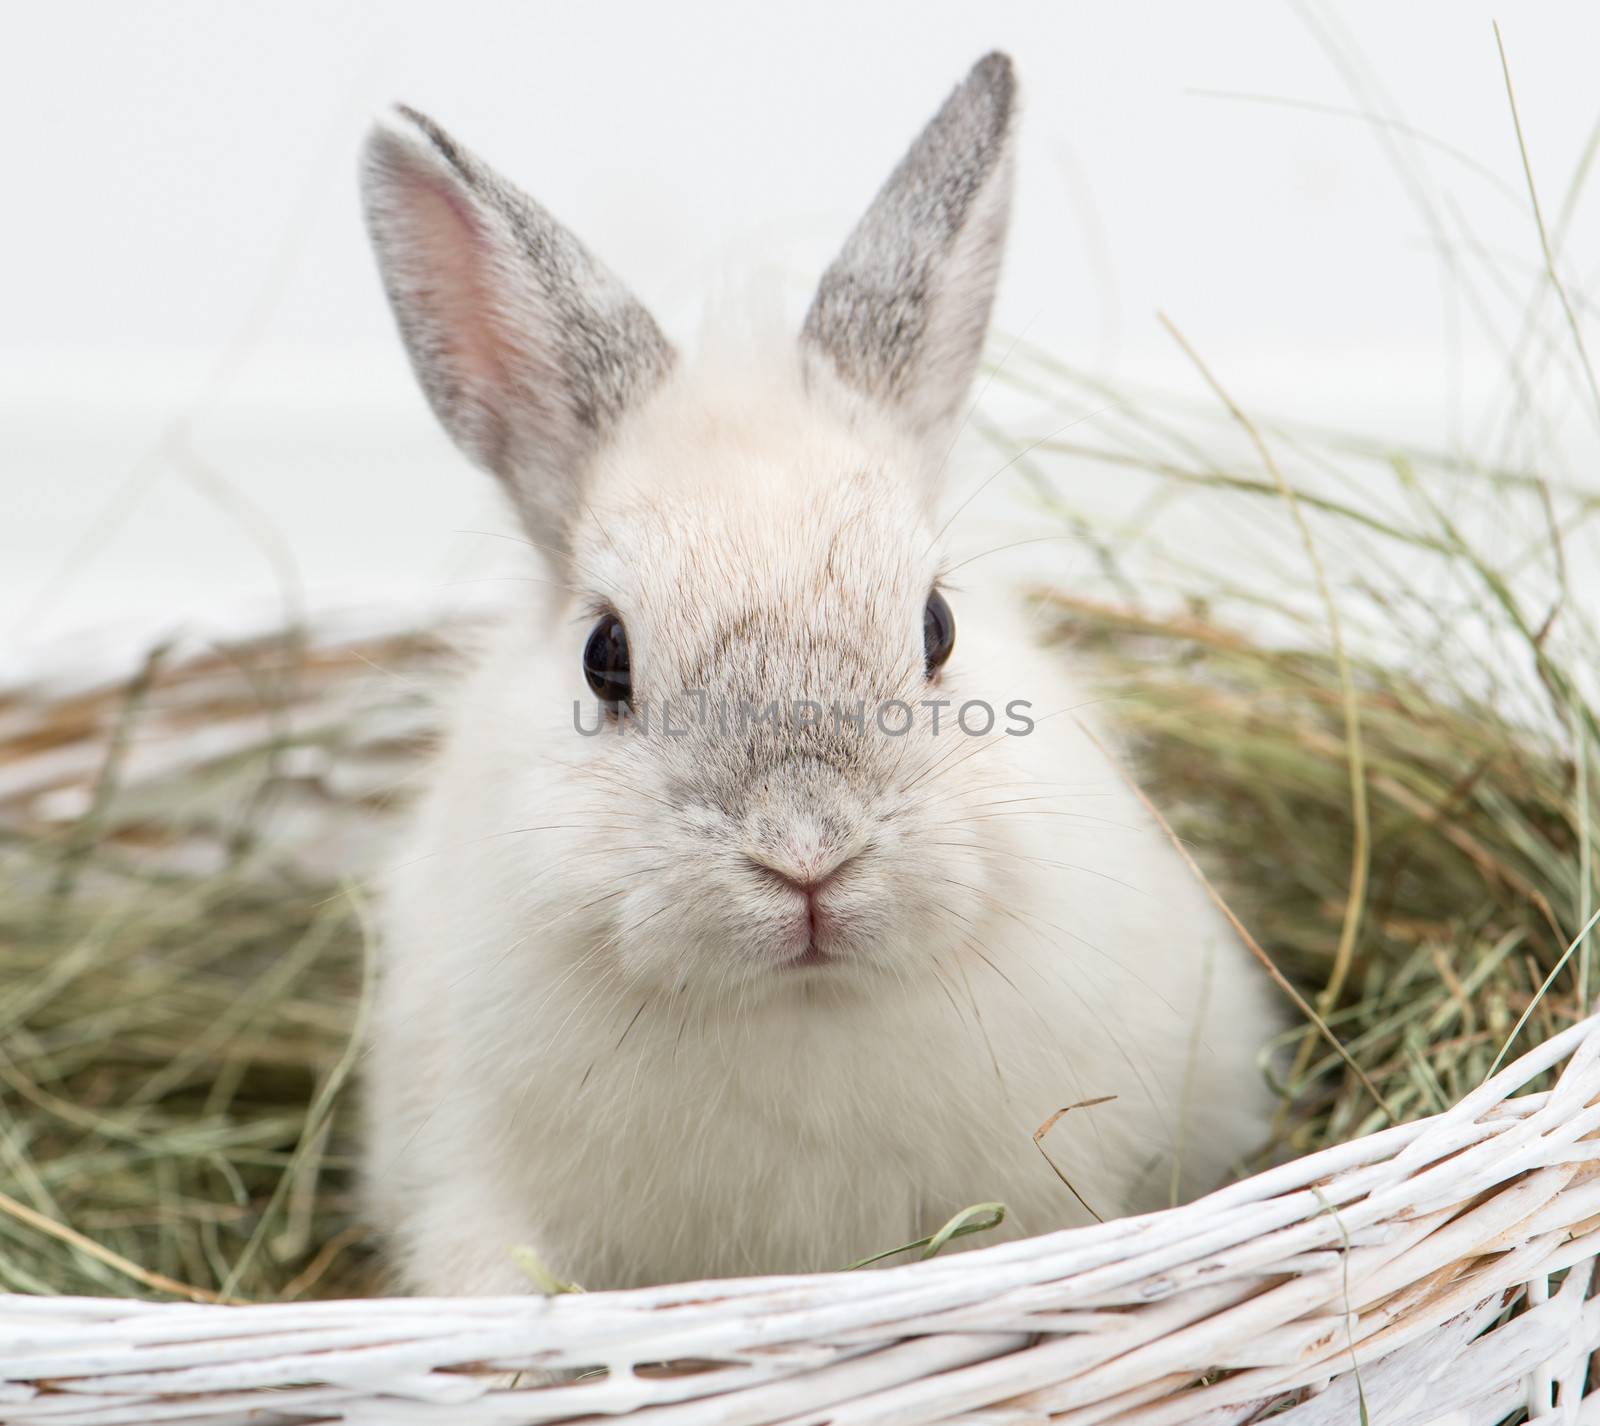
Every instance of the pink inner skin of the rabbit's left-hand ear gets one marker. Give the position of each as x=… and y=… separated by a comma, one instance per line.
x=450, y=268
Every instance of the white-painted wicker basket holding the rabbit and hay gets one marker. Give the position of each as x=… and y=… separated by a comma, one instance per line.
x=1441, y=1272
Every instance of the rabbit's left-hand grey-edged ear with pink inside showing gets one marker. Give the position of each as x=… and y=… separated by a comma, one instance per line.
x=526, y=346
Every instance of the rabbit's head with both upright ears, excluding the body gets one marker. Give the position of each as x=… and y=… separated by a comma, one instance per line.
x=750, y=567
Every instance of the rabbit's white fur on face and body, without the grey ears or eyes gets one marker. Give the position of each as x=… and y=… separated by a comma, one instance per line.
x=588, y=1038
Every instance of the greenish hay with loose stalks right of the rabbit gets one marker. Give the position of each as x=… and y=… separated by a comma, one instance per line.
x=1404, y=814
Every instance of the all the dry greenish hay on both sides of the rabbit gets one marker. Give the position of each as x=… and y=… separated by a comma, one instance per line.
x=183, y=852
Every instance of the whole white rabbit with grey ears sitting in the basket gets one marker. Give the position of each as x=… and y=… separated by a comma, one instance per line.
x=698, y=964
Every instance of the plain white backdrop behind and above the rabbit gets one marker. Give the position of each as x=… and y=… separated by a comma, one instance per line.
x=202, y=396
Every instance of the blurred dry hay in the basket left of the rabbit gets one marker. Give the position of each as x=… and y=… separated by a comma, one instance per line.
x=182, y=972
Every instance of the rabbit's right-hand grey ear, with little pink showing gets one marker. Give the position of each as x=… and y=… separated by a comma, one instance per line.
x=903, y=311
